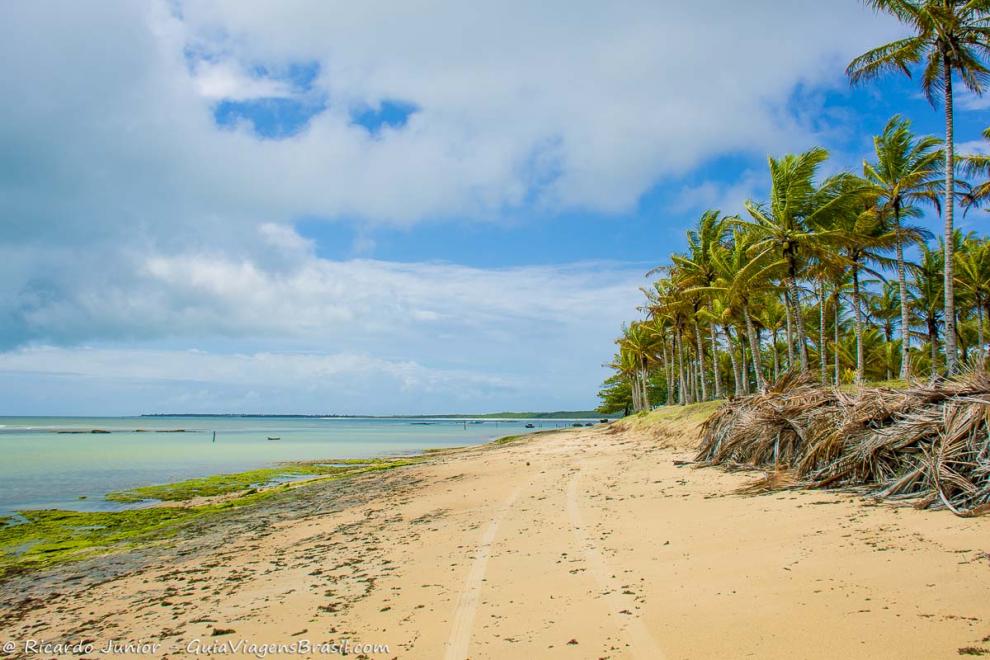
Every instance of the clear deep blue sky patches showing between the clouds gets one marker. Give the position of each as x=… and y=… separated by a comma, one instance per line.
x=847, y=116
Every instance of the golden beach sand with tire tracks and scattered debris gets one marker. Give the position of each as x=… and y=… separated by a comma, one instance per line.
x=588, y=543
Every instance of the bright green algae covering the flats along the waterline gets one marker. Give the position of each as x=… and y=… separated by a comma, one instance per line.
x=48, y=537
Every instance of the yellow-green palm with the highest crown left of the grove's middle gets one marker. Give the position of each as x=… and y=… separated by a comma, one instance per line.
x=789, y=221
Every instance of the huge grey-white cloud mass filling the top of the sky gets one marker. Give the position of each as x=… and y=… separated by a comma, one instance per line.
x=573, y=106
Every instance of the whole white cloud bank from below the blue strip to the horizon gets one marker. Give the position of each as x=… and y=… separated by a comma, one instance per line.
x=315, y=333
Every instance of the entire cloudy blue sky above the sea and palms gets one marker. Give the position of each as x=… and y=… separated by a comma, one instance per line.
x=372, y=207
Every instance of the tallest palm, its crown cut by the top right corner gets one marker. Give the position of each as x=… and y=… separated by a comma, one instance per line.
x=950, y=38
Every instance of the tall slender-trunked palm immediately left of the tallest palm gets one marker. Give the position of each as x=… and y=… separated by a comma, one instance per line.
x=905, y=173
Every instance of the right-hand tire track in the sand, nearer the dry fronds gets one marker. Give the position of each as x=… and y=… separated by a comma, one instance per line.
x=641, y=642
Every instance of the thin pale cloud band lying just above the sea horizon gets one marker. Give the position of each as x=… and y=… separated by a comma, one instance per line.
x=257, y=382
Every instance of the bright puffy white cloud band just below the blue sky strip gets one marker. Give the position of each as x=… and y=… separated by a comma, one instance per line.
x=200, y=294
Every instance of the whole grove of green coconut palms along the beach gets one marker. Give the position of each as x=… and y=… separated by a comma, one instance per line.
x=832, y=274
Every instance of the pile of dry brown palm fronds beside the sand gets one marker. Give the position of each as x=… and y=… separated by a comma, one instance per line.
x=928, y=443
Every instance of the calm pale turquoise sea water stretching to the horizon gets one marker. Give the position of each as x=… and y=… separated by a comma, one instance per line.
x=44, y=463
